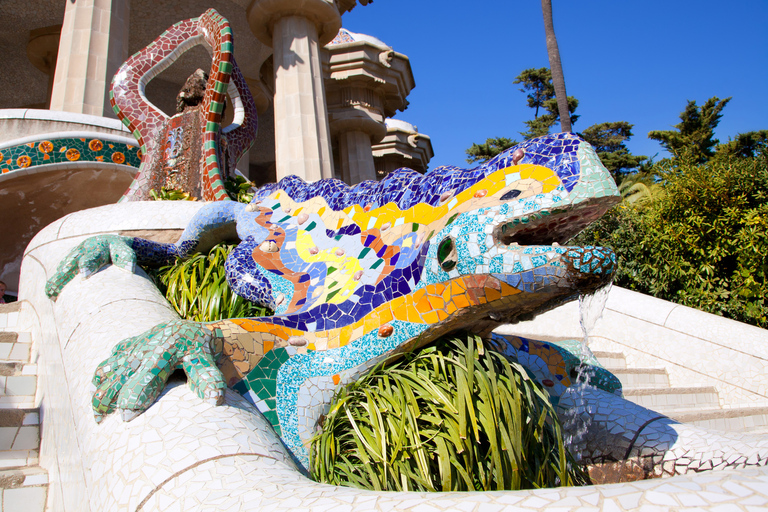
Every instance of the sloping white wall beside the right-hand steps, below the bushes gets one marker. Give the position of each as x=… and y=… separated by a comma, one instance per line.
x=696, y=348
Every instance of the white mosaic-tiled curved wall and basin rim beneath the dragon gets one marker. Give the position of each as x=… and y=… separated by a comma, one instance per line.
x=183, y=454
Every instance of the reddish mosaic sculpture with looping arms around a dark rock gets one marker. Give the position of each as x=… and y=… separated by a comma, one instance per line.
x=211, y=150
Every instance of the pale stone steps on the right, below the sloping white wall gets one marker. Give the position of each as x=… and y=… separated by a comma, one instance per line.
x=699, y=405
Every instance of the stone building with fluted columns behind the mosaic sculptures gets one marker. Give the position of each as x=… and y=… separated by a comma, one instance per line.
x=324, y=96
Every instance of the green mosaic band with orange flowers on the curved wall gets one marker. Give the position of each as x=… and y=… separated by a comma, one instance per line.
x=69, y=149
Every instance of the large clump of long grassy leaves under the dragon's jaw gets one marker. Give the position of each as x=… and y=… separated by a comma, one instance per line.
x=454, y=416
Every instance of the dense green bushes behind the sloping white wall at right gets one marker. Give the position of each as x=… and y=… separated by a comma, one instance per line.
x=702, y=241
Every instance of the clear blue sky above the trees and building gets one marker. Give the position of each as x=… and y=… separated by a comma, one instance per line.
x=635, y=61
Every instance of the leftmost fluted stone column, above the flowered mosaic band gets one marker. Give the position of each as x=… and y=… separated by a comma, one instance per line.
x=93, y=44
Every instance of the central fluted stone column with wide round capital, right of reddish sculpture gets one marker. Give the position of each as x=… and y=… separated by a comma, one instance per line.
x=296, y=29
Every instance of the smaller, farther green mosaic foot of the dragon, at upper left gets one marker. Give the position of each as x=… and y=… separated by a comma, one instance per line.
x=88, y=257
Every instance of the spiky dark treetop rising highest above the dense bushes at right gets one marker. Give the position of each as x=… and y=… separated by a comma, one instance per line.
x=693, y=137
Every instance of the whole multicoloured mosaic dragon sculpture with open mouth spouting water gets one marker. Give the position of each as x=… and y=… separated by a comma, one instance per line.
x=357, y=274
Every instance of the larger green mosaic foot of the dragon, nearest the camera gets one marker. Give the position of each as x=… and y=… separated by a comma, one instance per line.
x=136, y=372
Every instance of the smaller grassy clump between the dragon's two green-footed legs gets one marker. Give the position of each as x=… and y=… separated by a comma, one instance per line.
x=197, y=288
